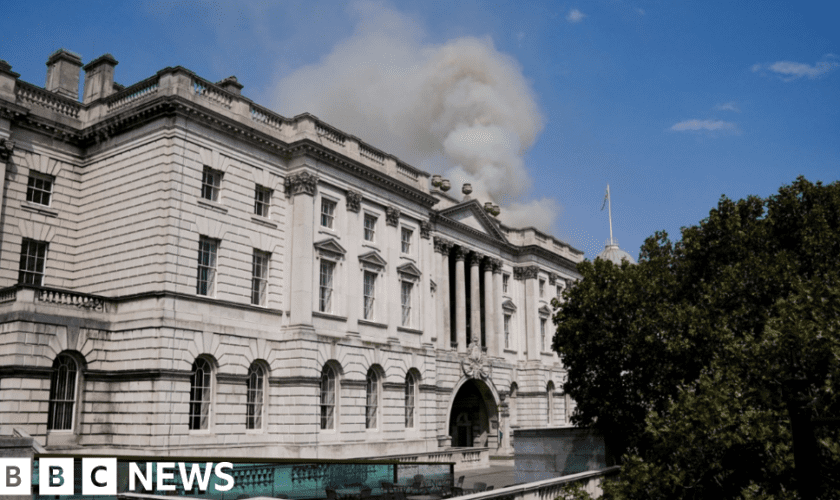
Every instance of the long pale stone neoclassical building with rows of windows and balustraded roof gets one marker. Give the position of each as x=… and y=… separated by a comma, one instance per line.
x=185, y=271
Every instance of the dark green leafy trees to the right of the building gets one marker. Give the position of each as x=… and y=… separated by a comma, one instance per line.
x=689, y=361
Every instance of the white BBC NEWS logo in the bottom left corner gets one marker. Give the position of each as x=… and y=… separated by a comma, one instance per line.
x=99, y=476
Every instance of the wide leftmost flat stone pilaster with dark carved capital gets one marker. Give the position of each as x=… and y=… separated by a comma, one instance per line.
x=301, y=187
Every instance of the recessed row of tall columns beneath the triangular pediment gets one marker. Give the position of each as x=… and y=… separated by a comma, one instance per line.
x=491, y=319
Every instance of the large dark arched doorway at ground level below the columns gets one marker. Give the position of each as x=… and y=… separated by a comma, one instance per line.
x=473, y=417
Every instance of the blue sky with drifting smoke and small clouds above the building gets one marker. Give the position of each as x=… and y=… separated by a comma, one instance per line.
x=672, y=103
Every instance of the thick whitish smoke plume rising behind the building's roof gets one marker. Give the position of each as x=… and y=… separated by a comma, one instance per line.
x=461, y=108
